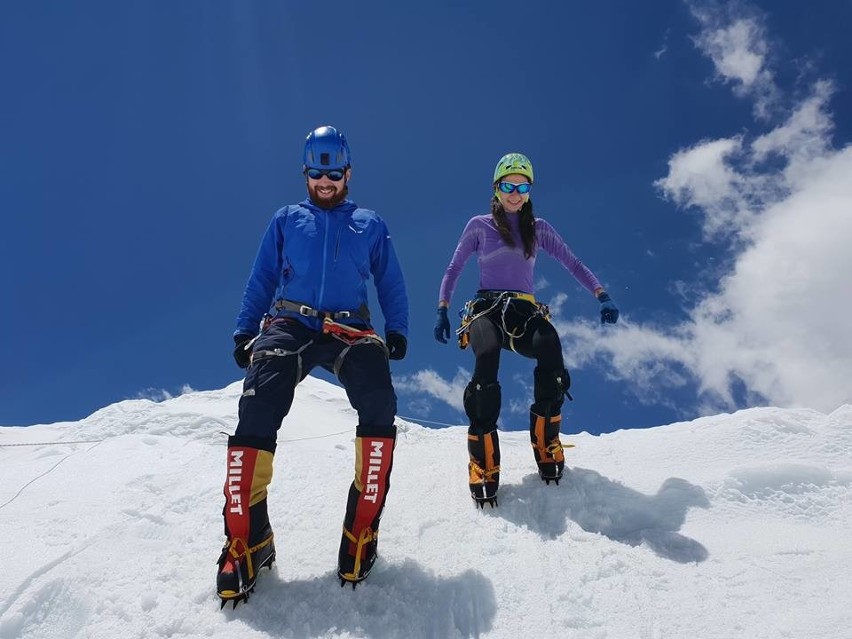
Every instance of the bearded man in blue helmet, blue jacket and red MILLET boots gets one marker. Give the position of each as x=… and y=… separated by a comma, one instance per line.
x=307, y=293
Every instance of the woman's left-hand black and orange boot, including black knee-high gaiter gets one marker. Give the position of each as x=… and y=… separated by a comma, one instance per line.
x=482, y=406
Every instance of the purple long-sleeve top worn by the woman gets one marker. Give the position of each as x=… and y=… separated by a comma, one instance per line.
x=505, y=268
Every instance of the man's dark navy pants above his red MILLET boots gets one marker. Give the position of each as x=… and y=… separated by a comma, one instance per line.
x=284, y=355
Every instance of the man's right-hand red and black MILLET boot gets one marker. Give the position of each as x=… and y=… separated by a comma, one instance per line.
x=373, y=462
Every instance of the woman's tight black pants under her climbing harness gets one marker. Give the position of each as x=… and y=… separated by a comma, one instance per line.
x=536, y=339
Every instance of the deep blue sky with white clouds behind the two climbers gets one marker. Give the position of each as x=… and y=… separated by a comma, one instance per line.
x=695, y=156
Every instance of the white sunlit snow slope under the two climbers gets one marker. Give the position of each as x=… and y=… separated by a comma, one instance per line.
x=727, y=526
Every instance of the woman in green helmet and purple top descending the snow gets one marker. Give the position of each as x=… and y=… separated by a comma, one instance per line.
x=505, y=315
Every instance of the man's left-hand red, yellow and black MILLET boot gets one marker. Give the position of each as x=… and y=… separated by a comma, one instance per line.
x=249, y=544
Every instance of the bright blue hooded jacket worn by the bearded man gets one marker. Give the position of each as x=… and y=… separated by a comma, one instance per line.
x=323, y=258
